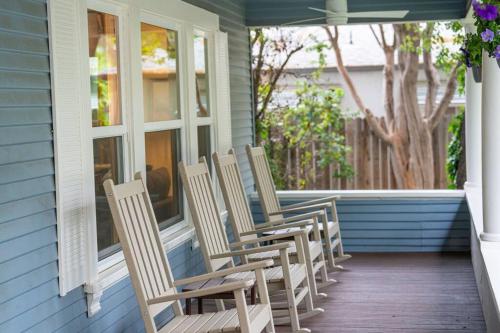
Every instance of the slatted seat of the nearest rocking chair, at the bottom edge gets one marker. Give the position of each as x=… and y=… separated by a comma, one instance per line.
x=218, y=322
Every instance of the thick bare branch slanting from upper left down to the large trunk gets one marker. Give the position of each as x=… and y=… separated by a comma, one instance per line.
x=375, y=126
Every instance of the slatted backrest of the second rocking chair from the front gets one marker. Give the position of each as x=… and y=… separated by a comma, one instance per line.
x=205, y=212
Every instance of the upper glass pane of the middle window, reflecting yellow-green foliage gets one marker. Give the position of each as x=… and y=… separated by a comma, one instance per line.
x=159, y=73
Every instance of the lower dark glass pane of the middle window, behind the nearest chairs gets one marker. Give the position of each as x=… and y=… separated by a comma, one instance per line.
x=162, y=157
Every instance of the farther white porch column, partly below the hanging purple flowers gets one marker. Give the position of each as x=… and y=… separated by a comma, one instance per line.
x=472, y=127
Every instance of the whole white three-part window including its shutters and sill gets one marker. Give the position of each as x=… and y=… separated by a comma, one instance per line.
x=134, y=89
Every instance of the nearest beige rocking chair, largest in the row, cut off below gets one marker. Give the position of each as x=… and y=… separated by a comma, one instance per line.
x=152, y=279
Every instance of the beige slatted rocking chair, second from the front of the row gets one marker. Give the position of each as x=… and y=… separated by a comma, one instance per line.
x=283, y=280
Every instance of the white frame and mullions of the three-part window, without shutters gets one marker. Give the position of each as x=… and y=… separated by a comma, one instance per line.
x=134, y=127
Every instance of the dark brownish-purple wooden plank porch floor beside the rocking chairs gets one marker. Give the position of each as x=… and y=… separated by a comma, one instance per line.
x=422, y=292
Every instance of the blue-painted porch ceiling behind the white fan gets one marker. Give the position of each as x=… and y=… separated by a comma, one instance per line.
x=278, y=12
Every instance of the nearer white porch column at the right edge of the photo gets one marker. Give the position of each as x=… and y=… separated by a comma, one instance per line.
x=491, y=149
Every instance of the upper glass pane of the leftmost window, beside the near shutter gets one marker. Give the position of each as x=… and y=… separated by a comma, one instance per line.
x=104, y=69
